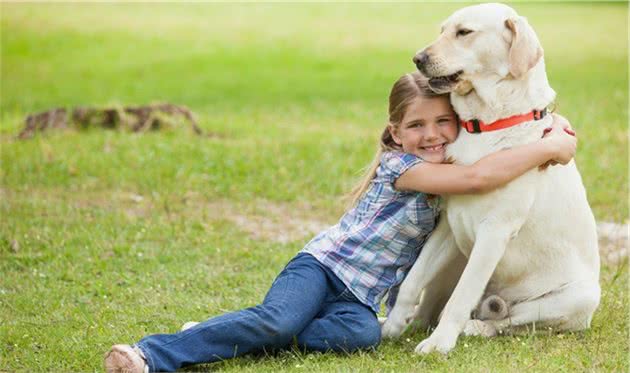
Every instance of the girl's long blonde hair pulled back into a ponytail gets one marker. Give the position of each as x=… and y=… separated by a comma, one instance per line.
x=406, y=89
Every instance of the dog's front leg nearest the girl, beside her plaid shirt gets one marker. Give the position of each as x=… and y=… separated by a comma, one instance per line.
x=437, y=253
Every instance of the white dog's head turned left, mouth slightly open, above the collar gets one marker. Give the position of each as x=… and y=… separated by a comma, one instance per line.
x=479, y=42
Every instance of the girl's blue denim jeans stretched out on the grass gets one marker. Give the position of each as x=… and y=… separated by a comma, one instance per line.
x=306, y=304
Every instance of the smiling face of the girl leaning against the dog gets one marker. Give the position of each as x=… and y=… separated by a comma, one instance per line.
x=429, y=124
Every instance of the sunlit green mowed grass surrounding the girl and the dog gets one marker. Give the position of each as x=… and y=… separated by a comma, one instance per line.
x=297, y=94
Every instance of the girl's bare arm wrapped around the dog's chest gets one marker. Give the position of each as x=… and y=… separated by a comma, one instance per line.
x=490, y=172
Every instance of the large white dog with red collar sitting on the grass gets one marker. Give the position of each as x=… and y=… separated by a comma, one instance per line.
x=532, y=243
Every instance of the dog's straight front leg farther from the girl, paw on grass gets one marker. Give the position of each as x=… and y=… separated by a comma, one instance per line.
x=490, y=244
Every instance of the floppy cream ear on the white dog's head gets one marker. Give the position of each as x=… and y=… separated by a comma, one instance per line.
x=525, y=50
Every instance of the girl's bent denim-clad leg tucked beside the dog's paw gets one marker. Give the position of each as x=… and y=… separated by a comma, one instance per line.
x=341, y=326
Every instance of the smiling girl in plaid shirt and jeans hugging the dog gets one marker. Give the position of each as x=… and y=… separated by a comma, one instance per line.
x=327, y=297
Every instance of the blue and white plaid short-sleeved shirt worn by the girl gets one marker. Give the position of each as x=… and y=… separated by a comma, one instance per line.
x=375, y=243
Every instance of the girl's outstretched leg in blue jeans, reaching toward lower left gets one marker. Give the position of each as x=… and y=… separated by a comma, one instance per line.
x=295, y=297
